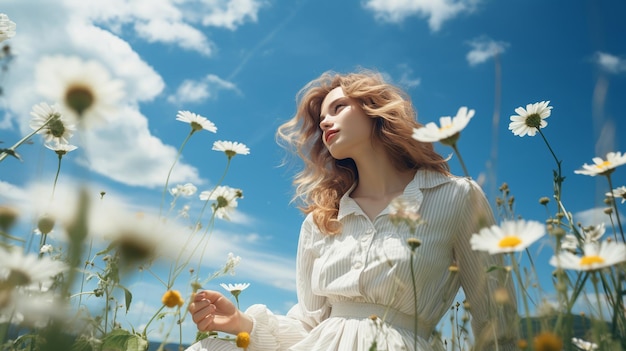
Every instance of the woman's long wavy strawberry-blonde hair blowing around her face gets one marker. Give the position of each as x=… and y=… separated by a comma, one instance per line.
x=324, y=180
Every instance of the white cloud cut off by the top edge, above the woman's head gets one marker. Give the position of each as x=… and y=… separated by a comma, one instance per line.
x=437, y=11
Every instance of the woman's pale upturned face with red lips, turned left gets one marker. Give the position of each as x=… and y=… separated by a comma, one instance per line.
x=346, y=129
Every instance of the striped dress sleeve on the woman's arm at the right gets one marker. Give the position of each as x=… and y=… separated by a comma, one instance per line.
x=491, y=322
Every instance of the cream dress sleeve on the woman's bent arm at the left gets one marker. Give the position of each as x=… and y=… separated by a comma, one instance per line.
x=275, y=332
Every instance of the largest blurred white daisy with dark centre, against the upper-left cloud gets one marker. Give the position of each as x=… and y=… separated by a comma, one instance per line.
x=84, y=89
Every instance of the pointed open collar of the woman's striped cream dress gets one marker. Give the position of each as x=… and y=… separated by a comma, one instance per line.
x=423, y=179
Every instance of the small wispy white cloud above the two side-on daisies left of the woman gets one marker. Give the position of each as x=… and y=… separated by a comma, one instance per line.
x=194, y=91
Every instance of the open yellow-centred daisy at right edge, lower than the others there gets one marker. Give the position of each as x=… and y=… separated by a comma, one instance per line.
x=595, y=256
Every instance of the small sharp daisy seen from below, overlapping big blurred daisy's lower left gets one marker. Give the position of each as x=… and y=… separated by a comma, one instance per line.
x=52, y=125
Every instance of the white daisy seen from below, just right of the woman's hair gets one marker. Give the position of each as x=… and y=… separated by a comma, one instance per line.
x=449, y=131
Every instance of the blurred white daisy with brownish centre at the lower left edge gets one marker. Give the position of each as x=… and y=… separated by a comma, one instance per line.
x=27, y=270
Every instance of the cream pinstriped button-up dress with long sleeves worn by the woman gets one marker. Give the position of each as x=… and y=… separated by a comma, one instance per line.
x=343, y=280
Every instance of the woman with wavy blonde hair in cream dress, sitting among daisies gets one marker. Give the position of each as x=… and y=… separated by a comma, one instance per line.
x=355, y=284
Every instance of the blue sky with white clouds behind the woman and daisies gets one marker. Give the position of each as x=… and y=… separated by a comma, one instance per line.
x=240, y=63
